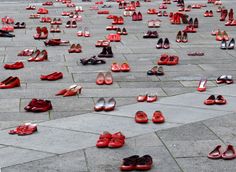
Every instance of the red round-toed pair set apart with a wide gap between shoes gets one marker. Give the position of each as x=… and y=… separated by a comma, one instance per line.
x=141, y=117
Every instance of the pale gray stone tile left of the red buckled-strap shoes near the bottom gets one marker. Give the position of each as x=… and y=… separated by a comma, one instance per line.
x=50, y=140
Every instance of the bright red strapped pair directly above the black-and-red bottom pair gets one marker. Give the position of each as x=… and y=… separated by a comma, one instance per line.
x=115, y=140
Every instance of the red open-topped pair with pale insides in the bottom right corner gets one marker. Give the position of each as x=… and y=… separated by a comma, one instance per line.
x=228, y=154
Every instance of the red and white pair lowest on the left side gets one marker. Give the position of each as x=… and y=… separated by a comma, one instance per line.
x=24, y=129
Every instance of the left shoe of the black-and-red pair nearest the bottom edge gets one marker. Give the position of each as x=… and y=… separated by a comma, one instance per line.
x=129, y=163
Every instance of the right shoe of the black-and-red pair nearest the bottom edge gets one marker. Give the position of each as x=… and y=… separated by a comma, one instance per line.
x=144, y=163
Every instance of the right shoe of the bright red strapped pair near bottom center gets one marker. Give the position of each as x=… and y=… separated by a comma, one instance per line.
x=117, y=141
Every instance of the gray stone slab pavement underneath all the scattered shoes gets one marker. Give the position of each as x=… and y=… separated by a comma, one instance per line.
x=67, y=135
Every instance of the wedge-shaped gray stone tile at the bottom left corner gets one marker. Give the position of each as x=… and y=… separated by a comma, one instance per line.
x=12, y=156
